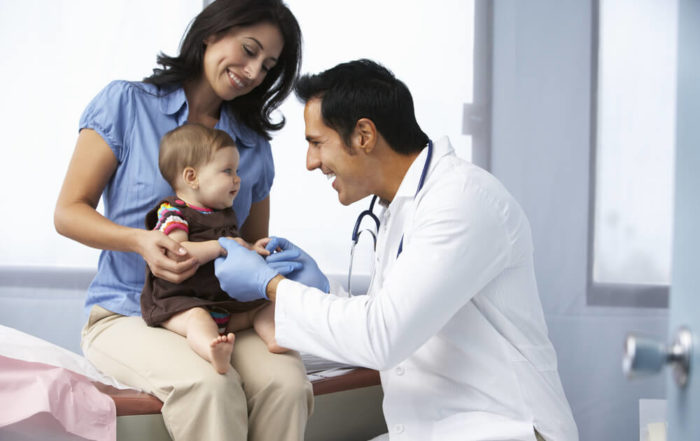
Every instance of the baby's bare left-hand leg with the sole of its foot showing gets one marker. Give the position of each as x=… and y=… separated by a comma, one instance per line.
x=203, y=336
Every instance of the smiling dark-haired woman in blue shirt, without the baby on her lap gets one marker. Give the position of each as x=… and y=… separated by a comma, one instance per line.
x=237, y=62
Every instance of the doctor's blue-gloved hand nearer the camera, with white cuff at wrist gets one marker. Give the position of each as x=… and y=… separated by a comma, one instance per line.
x=243, y=273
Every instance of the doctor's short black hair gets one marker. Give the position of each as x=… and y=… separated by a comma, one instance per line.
x=365, y=89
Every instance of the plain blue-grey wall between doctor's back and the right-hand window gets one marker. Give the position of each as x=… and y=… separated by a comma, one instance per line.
x=541, y=151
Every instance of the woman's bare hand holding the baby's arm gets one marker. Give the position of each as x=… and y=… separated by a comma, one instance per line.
x=166, y=258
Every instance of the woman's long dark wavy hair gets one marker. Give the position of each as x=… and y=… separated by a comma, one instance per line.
x=255, y=108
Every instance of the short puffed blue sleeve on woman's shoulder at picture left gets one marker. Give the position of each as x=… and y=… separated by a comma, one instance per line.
x=110, y=114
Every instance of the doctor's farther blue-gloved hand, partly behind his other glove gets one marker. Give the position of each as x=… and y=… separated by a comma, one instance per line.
x=309, y=274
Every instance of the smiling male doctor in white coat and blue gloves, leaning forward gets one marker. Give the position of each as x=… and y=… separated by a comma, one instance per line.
x=452, y=319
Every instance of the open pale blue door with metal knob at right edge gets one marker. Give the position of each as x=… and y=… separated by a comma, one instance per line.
x=683, y=352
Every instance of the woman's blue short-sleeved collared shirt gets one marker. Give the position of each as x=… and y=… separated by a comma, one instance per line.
x=132, y=117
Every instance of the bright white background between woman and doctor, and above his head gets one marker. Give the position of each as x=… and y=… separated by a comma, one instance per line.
x=428, y=45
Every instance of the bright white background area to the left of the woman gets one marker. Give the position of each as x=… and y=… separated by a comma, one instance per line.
x=56, y=56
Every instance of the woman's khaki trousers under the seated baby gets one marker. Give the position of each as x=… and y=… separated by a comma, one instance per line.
x=265, y=397
